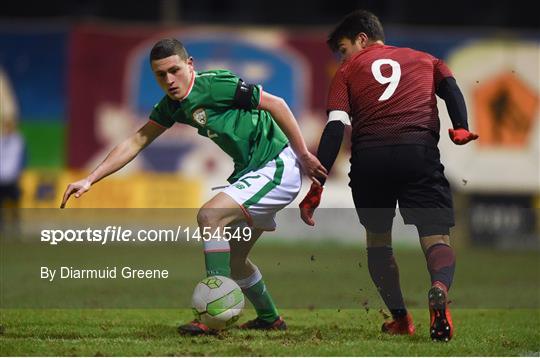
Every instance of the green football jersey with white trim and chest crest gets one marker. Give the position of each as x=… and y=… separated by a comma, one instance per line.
x=250, y=136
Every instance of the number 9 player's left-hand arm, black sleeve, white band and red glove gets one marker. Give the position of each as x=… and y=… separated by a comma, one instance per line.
x=327, y=153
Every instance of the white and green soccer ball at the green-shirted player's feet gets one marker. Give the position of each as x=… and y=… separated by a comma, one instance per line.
x=217, y=302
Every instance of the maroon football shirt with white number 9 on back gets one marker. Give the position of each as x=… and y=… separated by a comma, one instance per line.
x=389, y=92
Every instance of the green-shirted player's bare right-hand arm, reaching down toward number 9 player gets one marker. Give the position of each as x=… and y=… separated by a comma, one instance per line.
x=286, y=121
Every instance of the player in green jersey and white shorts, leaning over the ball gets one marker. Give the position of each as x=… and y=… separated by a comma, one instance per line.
x=259, y=132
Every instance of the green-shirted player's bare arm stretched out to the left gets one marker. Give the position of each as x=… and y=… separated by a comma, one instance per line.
x=122, y=154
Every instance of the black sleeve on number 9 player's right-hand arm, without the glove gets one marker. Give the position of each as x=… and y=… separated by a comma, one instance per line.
x=449, y=91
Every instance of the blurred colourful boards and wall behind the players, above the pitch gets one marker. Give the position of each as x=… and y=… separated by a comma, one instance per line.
x=76, y=80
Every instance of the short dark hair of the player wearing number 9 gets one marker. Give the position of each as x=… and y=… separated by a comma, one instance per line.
x=353, y=24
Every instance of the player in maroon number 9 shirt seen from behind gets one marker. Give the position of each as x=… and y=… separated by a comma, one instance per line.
x=387, y=94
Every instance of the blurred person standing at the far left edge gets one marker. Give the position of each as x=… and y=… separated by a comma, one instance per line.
x=12, y=153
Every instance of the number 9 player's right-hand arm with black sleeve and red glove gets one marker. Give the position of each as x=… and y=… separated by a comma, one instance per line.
x=448, y=90
